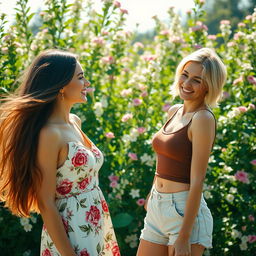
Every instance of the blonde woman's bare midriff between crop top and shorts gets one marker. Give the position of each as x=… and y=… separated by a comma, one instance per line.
x=169, y=186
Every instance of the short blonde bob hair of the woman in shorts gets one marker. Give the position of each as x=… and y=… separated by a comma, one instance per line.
x=213, y=75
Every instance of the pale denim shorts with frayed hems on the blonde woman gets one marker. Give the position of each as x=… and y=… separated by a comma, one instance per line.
x=165, y=212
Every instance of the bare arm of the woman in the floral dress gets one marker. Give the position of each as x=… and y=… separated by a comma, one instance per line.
x=47, y=157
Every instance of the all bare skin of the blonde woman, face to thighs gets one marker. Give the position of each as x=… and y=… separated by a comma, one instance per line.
x=201, y=133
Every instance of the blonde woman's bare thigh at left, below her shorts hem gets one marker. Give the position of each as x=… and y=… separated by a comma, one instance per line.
x=147, y=248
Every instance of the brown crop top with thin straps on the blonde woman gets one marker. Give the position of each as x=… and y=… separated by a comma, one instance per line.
x=174, y=152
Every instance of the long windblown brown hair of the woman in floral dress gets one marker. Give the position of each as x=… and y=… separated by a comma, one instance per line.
x=22, y=115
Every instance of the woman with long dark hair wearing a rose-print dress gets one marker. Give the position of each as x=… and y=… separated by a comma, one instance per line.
x=48, y=165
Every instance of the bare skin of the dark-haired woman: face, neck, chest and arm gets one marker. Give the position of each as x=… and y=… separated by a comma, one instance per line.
x=60, y=129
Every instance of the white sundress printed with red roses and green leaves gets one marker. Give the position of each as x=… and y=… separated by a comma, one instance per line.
x=82, y=206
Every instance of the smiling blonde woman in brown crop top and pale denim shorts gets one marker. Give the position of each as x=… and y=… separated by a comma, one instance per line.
x=178, y=221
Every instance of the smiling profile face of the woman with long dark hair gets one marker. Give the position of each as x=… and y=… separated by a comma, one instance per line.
x=75, y=91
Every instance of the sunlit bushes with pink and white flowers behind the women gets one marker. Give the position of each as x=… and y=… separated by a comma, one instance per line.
x=132, y=74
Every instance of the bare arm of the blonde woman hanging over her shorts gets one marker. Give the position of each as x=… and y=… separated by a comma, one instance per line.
x=202, y=132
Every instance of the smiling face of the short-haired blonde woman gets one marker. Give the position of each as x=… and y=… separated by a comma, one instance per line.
x=191, y=86
